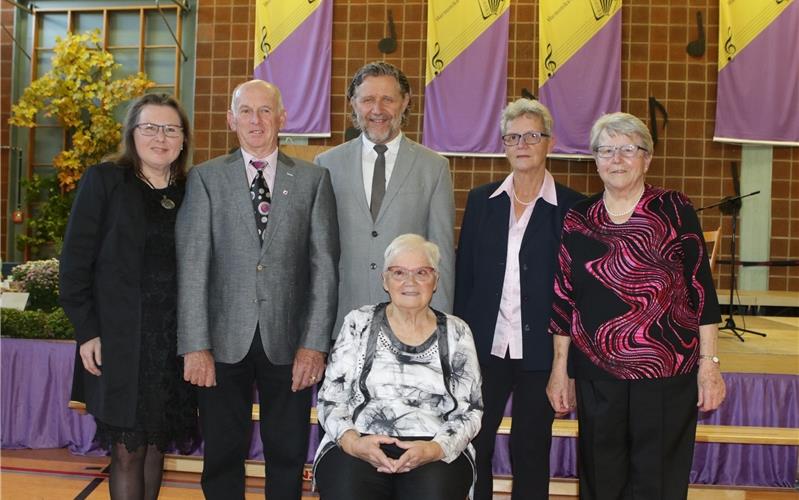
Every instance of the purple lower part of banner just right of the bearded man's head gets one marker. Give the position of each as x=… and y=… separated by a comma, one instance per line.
x=462, y=105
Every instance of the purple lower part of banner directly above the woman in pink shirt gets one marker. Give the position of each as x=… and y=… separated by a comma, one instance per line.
x=584, y=88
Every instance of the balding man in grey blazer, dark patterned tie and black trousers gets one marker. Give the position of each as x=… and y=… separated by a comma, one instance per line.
x=257, y=250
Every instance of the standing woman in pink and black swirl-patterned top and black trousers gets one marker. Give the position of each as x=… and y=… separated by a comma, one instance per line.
x=635, y=319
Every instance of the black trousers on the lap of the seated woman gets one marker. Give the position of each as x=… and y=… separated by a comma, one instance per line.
x=343, y=477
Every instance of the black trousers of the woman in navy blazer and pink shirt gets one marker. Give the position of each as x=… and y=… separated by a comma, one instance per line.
x=531, y=432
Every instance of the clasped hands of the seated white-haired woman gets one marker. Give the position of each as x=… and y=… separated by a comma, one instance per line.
x=367, y=448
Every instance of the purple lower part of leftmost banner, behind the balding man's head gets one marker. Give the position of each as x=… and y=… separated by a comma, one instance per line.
x=300, y=67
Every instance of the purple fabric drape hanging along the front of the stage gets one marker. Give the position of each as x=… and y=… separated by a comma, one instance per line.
x=37, y=375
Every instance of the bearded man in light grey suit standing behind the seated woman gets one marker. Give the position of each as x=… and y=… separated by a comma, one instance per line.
x=386, y=185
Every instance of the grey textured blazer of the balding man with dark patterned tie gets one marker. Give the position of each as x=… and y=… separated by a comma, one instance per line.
x=228, y=282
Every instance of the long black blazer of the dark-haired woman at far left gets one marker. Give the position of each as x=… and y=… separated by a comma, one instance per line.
x=100, y=276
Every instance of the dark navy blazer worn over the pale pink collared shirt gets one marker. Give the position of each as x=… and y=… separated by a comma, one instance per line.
x=480, y=269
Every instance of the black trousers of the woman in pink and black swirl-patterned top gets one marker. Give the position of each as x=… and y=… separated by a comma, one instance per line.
x=636, y=437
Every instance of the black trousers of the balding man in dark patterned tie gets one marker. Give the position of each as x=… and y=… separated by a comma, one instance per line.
x=226, y=423
